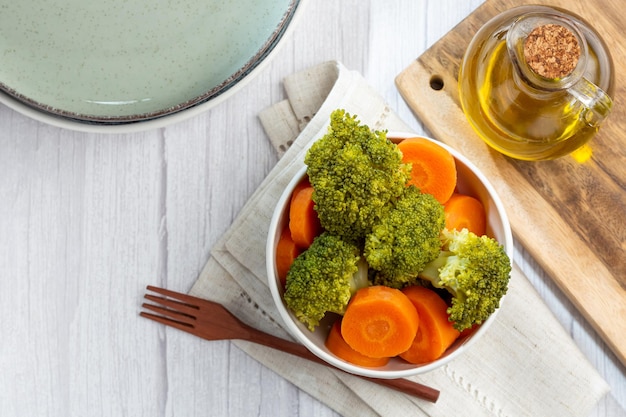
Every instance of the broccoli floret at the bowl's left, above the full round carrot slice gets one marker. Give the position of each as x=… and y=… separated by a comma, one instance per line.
x=323, y=278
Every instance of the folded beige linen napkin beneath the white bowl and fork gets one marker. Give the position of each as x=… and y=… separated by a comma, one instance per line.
x=525, y=365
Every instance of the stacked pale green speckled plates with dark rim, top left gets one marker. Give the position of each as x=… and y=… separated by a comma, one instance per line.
x=112, y=62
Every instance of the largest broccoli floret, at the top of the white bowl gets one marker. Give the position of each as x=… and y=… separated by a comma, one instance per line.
x=356, y=174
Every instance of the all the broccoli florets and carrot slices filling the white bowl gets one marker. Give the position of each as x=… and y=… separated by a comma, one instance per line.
x=379, y=235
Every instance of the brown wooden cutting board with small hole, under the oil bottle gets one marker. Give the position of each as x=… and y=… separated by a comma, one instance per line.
x=571, y=217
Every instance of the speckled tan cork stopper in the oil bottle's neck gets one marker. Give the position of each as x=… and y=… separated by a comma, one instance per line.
x=552, y=51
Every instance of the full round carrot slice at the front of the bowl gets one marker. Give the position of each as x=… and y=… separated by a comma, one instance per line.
x=379, y=322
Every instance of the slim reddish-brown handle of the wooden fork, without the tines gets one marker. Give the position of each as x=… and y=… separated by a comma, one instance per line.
x=401, y=384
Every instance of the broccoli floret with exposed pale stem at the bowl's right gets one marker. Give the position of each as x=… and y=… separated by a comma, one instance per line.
x=475, y=270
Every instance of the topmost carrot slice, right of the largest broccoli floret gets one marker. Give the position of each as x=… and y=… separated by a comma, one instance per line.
x=434, y=168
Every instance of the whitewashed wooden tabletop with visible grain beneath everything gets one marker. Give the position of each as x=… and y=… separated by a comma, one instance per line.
x=88, y=220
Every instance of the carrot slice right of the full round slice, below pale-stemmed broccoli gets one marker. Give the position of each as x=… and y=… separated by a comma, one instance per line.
x=435, y=333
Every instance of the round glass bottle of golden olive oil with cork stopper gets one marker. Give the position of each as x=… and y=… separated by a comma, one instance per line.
x=520, y=84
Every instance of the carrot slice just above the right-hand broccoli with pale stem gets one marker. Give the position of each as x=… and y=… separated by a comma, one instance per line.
x=464, y=211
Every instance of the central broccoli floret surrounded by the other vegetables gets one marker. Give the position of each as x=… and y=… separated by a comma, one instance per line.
x=406, y=239
